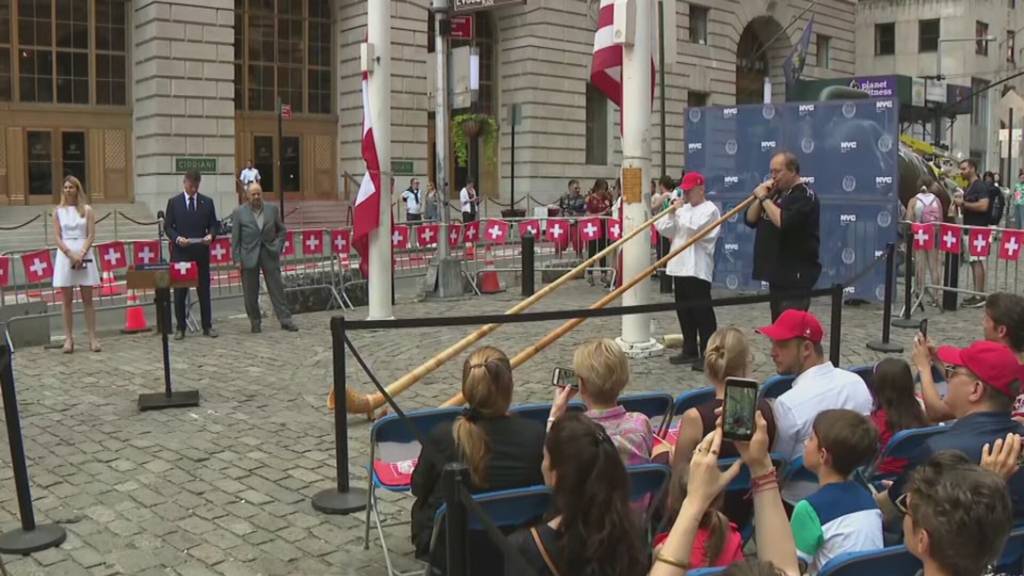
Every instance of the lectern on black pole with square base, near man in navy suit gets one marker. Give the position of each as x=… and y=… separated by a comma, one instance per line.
x=158, y=278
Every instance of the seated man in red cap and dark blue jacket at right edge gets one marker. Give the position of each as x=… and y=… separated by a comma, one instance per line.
x=985, y=381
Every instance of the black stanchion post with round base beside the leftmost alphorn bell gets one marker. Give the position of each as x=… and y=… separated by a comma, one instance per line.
x=344, y=499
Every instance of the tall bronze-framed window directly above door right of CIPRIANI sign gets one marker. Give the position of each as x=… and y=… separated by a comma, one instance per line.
x=283, y=49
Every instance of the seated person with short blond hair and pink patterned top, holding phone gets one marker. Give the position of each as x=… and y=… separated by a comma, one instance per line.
x=604, y=373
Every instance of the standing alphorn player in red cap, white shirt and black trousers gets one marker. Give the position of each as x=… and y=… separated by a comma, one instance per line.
x=693, y=269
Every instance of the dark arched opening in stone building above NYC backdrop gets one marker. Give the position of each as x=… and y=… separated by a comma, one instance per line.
x=756, y=59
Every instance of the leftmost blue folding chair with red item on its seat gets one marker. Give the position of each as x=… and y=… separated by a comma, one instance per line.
x=393, y=442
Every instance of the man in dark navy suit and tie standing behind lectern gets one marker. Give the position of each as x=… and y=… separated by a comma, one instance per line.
x=191, y=224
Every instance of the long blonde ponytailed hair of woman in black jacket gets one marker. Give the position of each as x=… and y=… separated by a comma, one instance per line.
x=487, y=385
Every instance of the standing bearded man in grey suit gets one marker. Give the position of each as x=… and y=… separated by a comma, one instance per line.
x=258, y=238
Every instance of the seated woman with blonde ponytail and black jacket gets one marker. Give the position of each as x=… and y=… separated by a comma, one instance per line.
x=501, y=450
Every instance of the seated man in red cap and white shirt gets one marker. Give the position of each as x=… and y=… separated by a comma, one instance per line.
x=796, y=349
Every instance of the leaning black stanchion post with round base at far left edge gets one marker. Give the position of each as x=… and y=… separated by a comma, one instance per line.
x=30, y=539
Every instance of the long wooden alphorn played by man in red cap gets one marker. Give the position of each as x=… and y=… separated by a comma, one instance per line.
x=366, y=404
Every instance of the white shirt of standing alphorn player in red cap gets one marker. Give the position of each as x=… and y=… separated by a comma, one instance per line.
x=699, y=261
